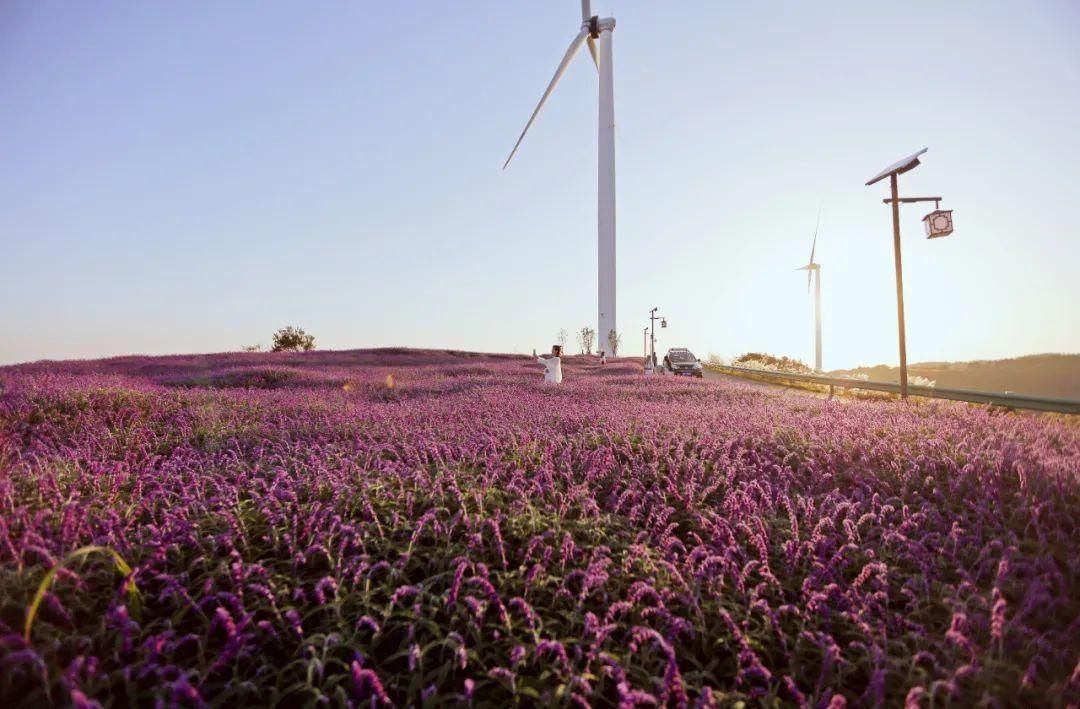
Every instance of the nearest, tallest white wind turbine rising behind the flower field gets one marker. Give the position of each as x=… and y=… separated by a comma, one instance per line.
x=597, y=33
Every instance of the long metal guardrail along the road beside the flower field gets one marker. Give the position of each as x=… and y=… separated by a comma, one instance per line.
x=1009, y=400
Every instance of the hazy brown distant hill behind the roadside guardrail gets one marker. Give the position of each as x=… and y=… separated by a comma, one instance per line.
x=1037, y=376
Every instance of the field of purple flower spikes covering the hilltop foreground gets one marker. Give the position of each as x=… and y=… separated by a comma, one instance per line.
x=406, y=528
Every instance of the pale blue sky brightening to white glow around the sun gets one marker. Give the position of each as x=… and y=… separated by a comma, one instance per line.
x=192, y=177
